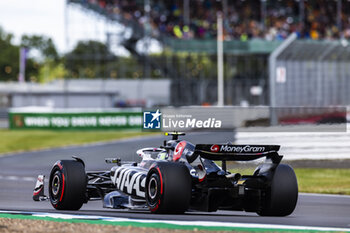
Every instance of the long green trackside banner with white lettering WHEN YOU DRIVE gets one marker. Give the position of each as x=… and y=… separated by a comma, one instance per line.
x=90, y=120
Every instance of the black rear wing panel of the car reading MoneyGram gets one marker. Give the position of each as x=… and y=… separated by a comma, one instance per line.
x=229, y=152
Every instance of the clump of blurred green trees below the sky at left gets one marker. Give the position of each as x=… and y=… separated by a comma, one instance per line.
x=89, y=59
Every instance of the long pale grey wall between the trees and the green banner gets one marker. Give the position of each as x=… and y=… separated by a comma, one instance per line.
x=87, y=93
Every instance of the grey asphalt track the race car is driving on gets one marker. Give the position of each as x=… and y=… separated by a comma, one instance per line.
x=19, y=171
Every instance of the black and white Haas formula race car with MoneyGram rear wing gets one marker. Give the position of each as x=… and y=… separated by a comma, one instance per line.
x=177, y=177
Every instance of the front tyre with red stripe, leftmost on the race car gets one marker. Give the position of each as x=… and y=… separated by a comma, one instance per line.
x=67, y=185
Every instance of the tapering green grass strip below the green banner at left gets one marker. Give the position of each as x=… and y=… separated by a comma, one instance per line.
x=27, y=140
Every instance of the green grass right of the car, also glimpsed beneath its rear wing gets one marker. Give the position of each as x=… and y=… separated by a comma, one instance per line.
x=318, y=180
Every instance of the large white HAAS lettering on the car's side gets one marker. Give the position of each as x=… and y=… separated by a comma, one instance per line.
x=130, y=181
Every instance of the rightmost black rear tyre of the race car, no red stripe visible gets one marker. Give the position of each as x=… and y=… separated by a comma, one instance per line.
x=281, y=196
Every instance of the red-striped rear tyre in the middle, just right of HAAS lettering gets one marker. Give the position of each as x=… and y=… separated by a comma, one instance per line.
x=168, y=188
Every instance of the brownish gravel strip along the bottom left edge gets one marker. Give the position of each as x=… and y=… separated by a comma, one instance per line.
x=41, y=226
